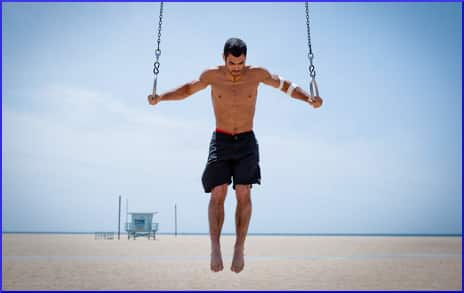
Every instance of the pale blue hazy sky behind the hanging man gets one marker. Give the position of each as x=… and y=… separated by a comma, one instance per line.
x=383, y=154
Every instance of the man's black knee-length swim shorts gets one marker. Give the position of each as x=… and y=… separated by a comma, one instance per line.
x=232, y=157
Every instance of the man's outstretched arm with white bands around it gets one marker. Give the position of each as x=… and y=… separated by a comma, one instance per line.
x=289, y=88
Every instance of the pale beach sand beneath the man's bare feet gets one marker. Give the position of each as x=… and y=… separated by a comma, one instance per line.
x=79, y=262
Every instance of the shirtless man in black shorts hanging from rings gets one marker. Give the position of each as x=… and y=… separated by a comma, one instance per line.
x=233, y=150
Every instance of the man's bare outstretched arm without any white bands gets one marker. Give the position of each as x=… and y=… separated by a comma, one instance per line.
x=183, y=91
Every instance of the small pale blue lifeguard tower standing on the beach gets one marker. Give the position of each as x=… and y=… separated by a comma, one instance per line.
x=141, y=224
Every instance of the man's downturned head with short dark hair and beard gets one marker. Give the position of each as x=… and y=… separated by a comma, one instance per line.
x=234, y=55
